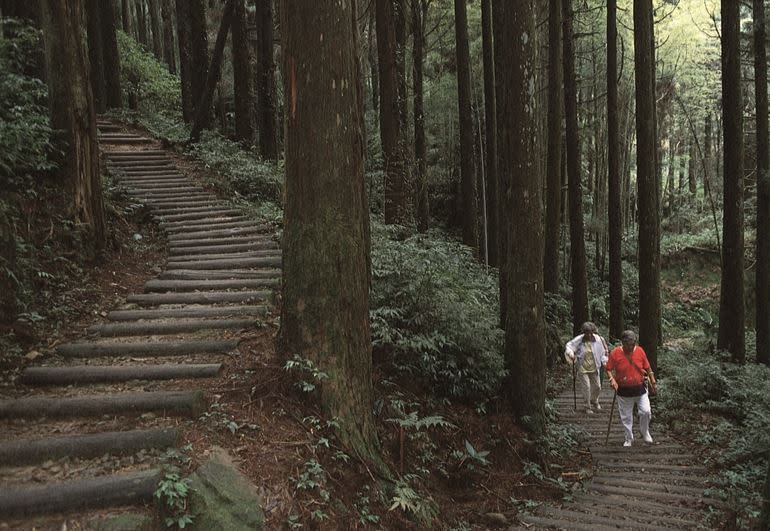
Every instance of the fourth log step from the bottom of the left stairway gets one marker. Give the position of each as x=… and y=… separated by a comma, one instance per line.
x=86, y=374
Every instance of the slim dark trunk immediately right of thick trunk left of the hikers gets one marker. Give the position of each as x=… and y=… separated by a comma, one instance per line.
x=553, y=162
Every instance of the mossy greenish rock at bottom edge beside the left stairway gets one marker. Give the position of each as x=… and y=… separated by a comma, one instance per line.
x=221, y=498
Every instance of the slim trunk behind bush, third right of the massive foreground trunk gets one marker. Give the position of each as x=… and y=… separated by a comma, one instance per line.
x=467, y=163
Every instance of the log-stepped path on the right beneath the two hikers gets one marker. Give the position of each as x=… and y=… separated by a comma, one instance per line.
x=645, y=487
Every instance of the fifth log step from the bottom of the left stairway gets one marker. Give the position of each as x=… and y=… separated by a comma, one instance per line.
x=171, y=348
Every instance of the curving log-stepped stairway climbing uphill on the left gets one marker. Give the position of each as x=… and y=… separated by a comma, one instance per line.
x=86, y=429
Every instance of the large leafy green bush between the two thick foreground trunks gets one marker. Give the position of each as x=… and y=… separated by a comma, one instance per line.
x=434, y=309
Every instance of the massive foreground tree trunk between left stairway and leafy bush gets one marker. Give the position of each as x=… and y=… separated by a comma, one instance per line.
x=326, y=285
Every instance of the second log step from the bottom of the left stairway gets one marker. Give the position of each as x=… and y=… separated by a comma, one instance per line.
x=32, y=451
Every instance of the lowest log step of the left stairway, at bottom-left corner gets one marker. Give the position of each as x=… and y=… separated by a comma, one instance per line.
x=84, y=494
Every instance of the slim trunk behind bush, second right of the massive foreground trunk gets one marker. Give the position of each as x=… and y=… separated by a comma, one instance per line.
x=419, y=12
